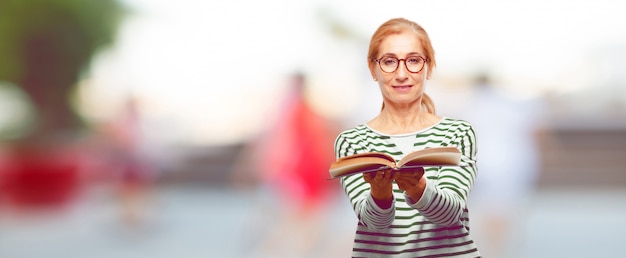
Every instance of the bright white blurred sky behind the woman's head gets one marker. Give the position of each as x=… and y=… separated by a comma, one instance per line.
x=212, y=72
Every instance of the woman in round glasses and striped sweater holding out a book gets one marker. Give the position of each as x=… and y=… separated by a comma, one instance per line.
x=418, y=213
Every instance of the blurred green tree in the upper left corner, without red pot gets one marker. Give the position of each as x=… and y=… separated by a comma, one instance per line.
x=45, y=46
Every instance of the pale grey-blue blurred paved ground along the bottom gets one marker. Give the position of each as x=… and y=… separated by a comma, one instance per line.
x=208, y=222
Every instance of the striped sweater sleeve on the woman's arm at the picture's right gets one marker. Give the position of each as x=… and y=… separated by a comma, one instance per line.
x=445, y=197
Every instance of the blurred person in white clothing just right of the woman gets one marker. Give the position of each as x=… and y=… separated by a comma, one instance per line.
x=509, y=164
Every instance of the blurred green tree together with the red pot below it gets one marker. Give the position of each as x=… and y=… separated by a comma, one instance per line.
x=45, y=47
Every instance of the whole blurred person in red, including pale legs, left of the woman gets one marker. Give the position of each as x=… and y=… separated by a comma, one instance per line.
x=291, y=159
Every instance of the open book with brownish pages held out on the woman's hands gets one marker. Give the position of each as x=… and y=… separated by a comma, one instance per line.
x=375, y=161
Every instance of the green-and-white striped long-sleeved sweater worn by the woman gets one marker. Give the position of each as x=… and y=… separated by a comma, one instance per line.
x=437, y=225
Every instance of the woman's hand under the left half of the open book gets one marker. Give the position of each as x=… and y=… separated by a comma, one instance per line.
x=381, y=185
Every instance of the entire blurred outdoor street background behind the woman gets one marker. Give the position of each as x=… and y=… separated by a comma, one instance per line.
x=151, y=128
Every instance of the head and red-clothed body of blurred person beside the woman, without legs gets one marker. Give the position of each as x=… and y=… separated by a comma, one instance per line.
x=295, y=159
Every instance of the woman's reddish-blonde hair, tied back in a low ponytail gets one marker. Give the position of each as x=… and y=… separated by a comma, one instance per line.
x=397, y=26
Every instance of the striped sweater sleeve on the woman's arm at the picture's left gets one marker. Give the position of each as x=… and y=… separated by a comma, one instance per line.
x=367, y=211
